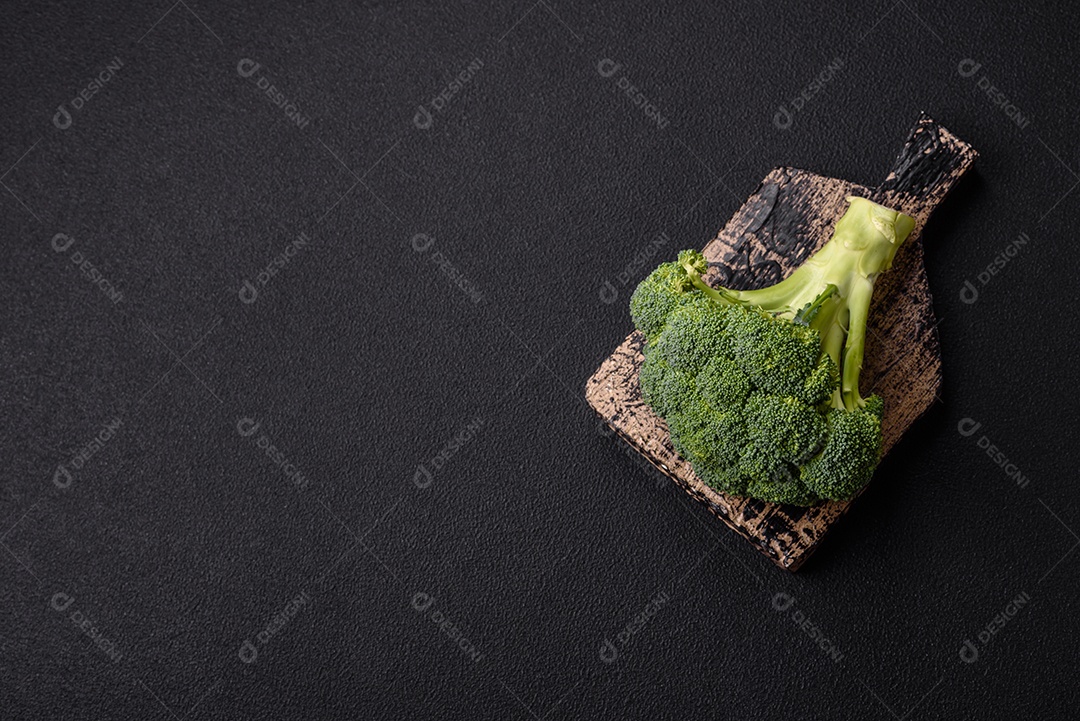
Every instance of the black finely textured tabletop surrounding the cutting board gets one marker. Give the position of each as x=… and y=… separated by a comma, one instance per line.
x=537, y=539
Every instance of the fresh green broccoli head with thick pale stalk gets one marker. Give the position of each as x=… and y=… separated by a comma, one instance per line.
x=760, y=389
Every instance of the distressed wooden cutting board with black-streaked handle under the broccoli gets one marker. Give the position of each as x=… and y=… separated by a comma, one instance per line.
x=788, y=219
